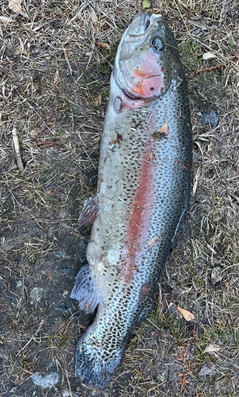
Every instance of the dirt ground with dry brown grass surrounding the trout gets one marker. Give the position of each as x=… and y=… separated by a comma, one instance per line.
x=54, y=85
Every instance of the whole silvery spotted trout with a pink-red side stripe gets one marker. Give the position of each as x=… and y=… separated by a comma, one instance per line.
x=142, y=198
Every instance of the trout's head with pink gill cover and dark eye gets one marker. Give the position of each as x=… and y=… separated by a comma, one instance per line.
x=147, y=59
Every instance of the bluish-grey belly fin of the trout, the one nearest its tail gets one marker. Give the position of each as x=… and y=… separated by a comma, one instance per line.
x=85, y=290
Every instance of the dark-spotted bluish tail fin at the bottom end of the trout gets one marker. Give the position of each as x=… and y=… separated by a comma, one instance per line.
x=95, y=364
